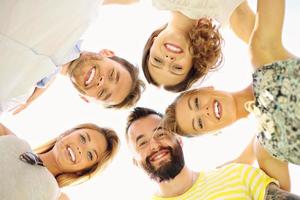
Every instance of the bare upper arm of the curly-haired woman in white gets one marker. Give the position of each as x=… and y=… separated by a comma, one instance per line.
x=242, y=21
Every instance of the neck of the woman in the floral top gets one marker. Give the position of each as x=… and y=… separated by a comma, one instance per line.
x=241, y=97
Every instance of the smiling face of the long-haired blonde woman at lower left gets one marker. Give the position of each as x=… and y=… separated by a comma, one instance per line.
x=81, y=149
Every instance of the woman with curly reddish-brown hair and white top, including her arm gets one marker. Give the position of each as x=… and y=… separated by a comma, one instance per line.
x=189, y=45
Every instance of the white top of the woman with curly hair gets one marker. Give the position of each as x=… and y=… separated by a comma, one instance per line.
x=220, y=10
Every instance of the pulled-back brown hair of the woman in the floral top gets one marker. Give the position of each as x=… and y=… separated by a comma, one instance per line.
x=169, y=119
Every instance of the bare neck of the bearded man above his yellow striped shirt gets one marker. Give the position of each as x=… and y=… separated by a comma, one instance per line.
x=179, y=185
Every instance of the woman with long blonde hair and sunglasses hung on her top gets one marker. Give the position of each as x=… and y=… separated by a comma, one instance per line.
x=73, y=157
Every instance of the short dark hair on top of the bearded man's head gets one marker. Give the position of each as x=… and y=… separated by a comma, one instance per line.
x=138, y=113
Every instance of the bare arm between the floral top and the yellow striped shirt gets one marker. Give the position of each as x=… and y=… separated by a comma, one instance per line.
x=273, y=167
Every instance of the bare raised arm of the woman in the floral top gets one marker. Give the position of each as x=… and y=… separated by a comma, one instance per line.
x=265, y=42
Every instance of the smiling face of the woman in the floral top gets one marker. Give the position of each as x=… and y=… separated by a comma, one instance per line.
x=205, y=110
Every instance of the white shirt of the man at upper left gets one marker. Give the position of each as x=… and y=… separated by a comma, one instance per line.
x=35, y=37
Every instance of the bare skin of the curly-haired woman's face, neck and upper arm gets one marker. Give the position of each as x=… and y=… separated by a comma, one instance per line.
x=167, y=67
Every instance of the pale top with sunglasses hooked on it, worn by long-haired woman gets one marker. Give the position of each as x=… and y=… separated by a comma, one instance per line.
x=20, y=180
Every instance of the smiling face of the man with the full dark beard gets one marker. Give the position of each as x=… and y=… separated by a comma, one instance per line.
x=155, y=149
